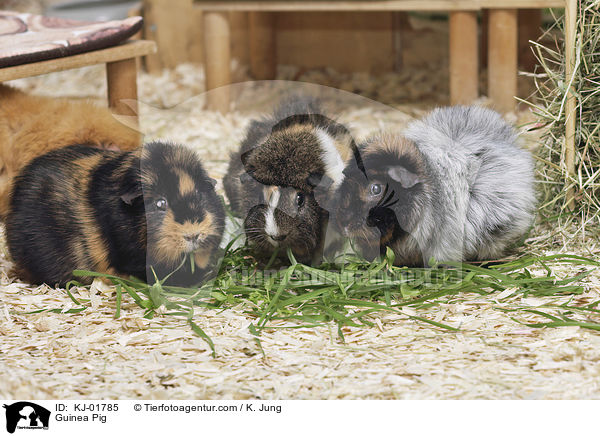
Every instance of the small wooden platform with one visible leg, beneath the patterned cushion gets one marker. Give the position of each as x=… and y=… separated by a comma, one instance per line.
x=121, y=70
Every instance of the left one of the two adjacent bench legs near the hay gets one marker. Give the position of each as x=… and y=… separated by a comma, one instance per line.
x=463, y=57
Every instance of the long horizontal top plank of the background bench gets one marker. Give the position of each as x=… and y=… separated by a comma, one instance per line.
x=374, y=5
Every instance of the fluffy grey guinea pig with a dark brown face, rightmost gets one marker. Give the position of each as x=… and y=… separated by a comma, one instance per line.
x=455, y=186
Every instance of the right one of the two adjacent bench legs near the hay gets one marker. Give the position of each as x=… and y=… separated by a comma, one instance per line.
x=502, y=58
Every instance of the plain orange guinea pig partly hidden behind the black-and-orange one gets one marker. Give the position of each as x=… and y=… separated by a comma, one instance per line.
x=32, y=125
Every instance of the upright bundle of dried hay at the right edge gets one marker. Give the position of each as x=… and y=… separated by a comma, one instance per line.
x=561, y=175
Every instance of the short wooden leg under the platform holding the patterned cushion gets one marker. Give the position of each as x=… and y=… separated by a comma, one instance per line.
x=121, y=78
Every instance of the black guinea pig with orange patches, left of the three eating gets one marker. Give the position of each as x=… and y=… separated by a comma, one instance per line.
x=122, y=213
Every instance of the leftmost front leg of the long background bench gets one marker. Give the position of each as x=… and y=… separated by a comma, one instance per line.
x=217, y=60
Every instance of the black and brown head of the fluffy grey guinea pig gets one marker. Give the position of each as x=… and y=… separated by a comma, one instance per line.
x=380, y=203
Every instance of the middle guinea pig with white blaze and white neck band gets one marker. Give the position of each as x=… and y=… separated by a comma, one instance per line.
x=271, y=179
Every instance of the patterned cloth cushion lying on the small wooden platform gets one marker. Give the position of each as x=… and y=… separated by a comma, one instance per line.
x=26, y=38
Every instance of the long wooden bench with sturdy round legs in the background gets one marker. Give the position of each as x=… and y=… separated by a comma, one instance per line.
x=463, y=40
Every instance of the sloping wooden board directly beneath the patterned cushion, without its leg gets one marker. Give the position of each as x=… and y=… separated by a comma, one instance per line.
x=126, y=50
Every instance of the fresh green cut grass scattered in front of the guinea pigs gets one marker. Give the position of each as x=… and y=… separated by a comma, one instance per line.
x=349, y=295
